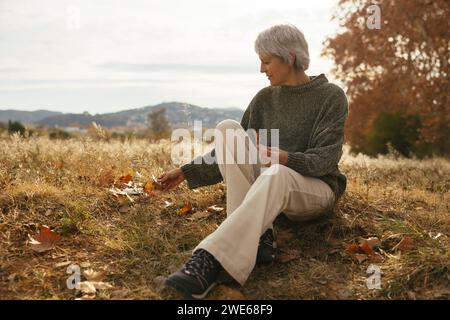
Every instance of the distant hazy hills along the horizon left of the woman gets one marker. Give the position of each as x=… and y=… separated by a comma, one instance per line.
x=179, y=115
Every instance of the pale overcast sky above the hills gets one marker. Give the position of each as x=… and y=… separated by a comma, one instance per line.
x=106, y=56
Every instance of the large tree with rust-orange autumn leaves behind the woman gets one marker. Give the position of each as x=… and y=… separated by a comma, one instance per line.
x=399, y=65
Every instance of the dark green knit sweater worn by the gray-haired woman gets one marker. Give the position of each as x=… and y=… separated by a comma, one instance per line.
x=310, y=119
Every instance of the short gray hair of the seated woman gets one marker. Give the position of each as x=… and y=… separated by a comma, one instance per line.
x=284, y=40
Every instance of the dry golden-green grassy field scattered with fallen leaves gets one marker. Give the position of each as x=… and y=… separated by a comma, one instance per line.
x=131, y=245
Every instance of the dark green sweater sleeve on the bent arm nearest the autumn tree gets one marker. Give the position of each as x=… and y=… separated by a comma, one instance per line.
x=326, y=143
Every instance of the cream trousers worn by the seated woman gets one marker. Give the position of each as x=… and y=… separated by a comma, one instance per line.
x=256, y=195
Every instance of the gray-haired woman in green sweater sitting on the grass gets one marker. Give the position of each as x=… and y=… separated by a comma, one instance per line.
x=310, y=114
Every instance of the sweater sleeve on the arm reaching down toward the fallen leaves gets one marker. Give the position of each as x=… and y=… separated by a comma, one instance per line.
x=204, y=173
